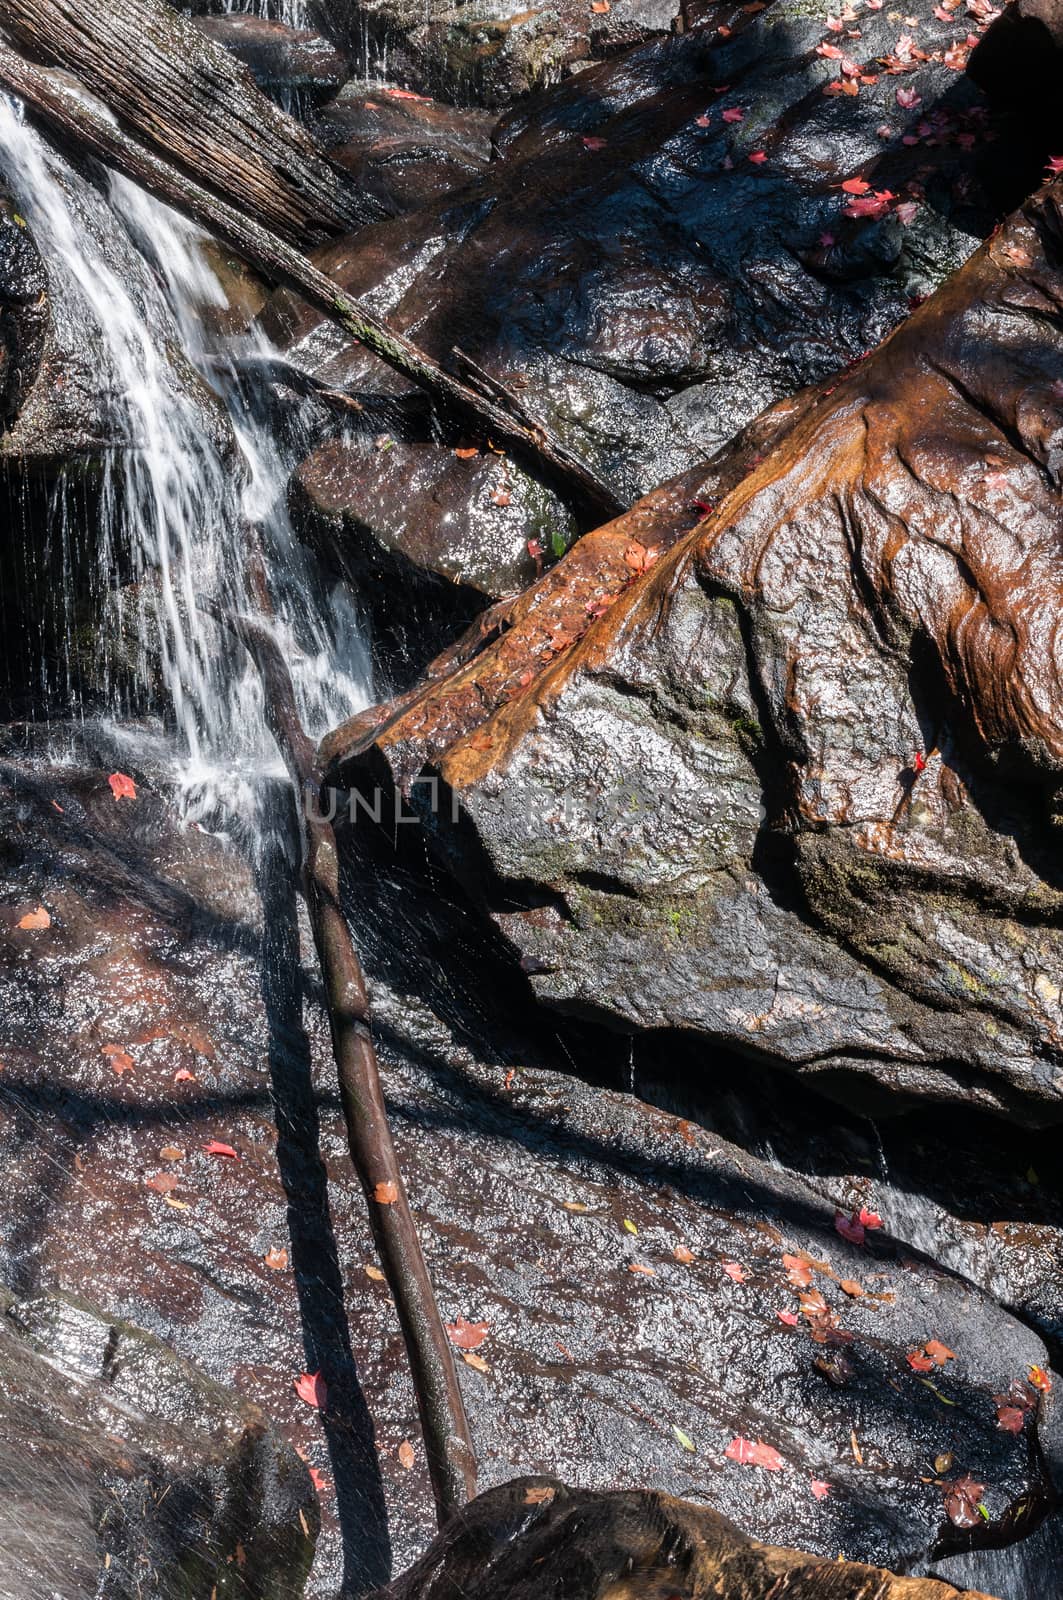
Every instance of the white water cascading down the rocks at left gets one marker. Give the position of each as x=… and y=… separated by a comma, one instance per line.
x=180, y=495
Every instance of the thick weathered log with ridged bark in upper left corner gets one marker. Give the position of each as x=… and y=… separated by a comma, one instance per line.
x=199, y=108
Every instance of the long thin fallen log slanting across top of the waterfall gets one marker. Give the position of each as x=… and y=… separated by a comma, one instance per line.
x=500, y=415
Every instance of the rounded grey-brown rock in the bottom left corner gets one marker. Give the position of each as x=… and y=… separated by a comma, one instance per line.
x=126, y=1471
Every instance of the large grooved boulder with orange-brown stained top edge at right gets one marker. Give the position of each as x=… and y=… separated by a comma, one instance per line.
x=796, y=790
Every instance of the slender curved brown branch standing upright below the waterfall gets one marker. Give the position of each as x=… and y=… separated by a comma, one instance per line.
x=444, y=1423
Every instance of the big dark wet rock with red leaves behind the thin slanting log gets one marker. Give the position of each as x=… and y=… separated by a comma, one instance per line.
x=665, y=249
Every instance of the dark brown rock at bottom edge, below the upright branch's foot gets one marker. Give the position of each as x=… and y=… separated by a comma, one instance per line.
x=536, y=1537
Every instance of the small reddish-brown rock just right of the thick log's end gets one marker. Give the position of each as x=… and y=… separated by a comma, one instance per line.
x=404, y=148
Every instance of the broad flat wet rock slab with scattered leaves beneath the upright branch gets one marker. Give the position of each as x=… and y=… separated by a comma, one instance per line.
x=603, y=1338
